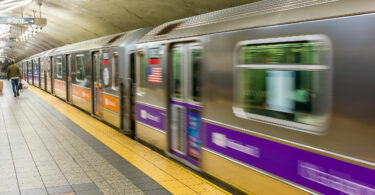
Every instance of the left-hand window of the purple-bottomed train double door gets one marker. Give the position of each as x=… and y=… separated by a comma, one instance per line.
x=177, y=55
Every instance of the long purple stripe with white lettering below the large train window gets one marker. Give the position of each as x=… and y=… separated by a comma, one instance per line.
x=317, y=172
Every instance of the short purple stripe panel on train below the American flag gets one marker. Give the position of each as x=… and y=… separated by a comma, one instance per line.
x=151, y=116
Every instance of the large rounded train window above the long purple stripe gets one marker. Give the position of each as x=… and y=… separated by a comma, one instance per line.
x=284, y=81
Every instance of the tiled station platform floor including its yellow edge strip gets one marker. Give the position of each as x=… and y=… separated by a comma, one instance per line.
x=50, y=147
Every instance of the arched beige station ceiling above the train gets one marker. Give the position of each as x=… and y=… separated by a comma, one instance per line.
x=70, y=21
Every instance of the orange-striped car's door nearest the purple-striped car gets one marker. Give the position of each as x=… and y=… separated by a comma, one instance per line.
x=97, y=84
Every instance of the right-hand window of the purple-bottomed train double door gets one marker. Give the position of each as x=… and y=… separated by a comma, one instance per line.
x=195, y=52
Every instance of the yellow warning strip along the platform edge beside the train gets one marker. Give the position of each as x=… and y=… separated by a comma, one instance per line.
x=169, y=174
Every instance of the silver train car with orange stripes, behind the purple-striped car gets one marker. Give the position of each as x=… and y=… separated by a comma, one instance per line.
x=88, y=75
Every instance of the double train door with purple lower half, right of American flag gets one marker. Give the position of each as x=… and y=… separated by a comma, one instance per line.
x=185, y=103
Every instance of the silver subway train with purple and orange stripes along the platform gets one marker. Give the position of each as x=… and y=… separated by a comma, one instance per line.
x=269, y=97
